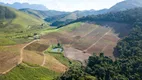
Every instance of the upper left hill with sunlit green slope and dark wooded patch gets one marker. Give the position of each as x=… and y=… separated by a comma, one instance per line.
x=18, y=18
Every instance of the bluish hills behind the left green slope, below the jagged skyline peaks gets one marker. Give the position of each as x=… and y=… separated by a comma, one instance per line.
x=42, y=14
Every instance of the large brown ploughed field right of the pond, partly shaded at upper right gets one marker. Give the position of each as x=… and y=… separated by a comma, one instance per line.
x=89, y=38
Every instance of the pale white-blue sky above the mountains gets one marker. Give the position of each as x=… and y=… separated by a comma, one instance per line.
x=70, y=5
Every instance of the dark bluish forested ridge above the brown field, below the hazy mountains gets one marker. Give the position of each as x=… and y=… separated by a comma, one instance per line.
x=130, y=16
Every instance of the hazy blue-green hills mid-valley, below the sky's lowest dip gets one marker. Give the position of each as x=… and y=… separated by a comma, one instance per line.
x=68, y=17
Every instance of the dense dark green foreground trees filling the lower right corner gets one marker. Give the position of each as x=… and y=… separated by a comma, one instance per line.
x=128, y=66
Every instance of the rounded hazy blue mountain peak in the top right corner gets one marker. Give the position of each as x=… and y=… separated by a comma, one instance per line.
x=124, y=5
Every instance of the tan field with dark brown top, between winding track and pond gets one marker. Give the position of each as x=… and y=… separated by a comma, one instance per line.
x=35, y=54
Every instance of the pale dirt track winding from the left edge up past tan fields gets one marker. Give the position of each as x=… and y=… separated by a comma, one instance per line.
x=21, y=58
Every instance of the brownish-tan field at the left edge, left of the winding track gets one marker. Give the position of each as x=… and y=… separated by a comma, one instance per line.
x=9, y=57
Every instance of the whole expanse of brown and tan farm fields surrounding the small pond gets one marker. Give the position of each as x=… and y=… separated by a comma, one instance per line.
x=80, y=40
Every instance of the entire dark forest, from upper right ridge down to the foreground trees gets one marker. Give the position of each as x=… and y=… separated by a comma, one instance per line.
x=128, y=64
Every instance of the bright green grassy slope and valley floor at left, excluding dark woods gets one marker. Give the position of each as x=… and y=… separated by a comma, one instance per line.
x=17, y=29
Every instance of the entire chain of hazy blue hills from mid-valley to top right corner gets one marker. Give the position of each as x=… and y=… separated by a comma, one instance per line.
x=121, y=6
